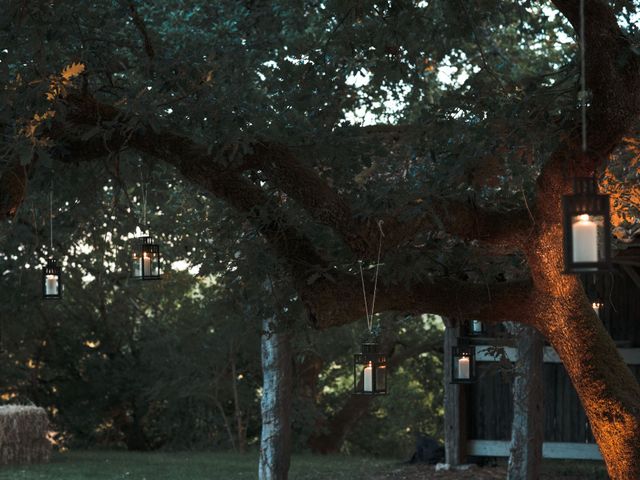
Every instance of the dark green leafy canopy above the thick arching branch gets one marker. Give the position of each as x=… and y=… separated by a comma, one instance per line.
x=475, y=95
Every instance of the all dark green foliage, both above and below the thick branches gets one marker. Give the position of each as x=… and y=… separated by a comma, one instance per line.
x=473, y=94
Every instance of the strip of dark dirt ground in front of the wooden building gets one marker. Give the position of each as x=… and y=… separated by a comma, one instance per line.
x=427, y=472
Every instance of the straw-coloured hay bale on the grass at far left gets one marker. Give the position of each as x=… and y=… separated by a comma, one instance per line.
x=23, y=435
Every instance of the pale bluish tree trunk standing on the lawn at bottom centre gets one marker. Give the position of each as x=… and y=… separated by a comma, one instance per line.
x=275, y=441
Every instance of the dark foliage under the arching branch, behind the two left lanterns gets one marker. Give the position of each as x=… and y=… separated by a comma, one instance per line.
x=119, y=362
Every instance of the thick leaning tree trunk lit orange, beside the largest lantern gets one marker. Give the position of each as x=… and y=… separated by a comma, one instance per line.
x=607, y=388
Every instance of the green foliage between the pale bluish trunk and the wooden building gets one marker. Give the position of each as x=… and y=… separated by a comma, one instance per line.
x=415, y=400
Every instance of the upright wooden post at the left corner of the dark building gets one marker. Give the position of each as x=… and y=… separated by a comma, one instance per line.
x=454, y=412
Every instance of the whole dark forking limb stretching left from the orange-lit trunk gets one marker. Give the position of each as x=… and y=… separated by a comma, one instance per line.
x=333, y=299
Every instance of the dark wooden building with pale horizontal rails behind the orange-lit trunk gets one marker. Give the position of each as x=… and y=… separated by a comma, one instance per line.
x=478, y=415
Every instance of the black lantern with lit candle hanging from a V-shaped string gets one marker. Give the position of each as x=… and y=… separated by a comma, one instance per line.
x=370, y=371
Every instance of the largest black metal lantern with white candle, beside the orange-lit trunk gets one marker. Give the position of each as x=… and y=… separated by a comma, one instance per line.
x=586, y=224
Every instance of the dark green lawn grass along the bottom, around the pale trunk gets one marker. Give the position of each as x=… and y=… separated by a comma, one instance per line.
x=110, y=465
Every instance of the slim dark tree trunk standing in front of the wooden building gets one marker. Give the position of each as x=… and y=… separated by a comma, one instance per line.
x=527, y=428
